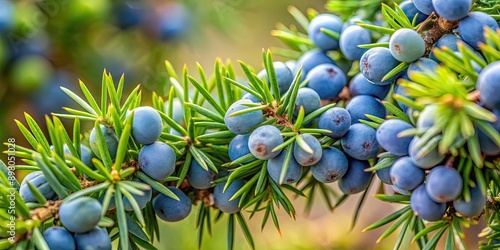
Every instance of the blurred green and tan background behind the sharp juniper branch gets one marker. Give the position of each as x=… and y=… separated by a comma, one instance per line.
x=52, y=43
